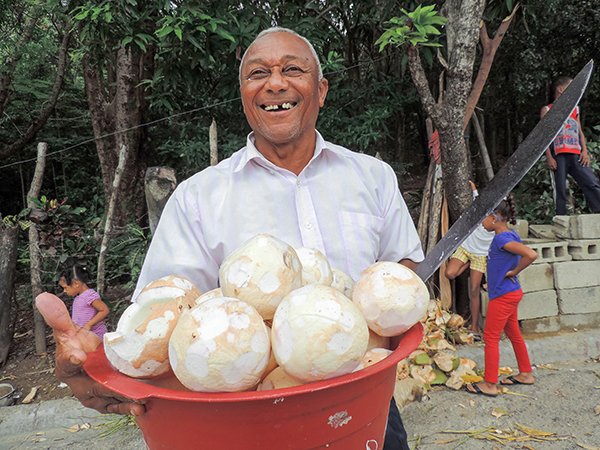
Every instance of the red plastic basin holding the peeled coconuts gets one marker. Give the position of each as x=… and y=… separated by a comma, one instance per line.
x=347, y=412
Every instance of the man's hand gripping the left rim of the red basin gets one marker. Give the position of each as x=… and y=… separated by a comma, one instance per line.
x=72, y=344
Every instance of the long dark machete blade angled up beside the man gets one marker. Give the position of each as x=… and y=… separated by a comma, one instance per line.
x=509, y=175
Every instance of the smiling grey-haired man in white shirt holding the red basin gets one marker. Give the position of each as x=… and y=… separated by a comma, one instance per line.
x=287, y=181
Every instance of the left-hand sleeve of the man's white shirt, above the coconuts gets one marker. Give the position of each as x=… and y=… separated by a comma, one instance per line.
x=178, y=246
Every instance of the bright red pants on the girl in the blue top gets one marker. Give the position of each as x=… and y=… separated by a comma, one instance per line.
x=502, y=314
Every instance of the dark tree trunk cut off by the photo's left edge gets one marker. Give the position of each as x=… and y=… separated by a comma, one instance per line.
x=9, y=238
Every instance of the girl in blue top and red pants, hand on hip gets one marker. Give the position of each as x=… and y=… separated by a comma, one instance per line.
x=506, y=258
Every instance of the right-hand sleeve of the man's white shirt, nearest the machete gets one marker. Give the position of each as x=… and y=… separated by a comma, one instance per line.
x=398, y=238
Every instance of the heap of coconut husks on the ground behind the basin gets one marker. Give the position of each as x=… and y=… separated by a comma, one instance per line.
x=435, y=361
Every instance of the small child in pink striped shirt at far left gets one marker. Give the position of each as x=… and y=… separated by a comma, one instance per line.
x=89, y=311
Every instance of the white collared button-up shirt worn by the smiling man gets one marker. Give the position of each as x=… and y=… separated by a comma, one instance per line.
x=345, y=204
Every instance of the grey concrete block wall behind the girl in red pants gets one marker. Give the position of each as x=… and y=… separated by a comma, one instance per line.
x=561, y=290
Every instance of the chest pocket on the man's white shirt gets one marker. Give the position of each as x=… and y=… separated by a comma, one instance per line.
x=361, y=236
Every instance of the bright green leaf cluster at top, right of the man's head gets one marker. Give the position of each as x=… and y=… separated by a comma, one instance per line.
x=416, y=28
